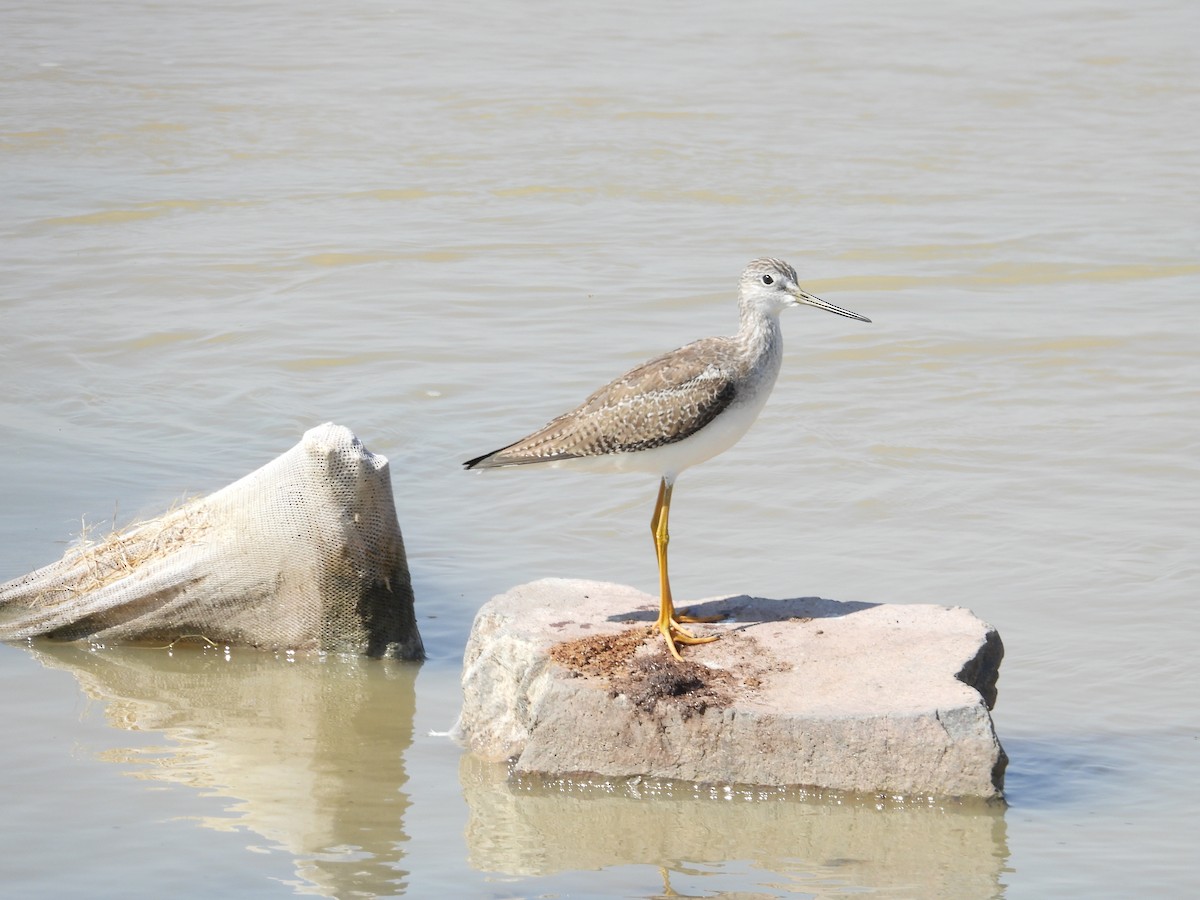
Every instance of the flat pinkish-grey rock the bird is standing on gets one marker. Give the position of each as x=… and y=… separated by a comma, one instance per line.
x=567, y=677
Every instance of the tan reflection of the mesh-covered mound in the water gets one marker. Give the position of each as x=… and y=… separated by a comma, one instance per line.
x=310, y=748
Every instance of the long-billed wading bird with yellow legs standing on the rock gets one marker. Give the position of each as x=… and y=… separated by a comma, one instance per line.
x=676, y=411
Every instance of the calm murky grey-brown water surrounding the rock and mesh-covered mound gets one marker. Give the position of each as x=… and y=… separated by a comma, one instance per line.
x=440, y=227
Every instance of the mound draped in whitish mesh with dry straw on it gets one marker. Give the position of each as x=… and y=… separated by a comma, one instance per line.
x=303, y=554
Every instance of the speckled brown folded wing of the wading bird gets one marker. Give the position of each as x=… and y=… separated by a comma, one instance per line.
x=662, y=401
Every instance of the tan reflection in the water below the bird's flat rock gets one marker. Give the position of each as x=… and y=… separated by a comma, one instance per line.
x=529, y=827
